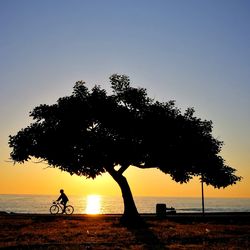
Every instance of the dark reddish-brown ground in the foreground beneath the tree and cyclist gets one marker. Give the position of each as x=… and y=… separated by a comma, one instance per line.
x=180, y=231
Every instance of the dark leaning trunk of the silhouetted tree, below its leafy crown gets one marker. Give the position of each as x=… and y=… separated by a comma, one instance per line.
x=130, y=215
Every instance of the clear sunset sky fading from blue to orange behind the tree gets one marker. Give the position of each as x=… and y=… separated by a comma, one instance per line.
x=196, y=52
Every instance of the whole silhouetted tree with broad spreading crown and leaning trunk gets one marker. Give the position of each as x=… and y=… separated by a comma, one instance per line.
x=90, y=132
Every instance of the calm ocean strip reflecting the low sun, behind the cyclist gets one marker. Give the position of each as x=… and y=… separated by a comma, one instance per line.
x=98, y=204
